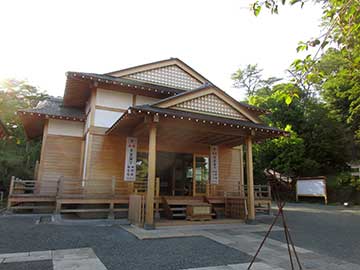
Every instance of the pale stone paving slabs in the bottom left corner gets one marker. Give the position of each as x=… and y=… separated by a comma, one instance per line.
x=65, y=259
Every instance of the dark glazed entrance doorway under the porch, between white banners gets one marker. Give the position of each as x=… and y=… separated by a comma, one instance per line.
x=176, y=173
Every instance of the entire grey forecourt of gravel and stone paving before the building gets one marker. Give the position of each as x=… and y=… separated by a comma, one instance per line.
x=67, y=246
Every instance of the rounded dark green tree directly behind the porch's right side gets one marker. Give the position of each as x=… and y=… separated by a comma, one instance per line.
x=317, y=144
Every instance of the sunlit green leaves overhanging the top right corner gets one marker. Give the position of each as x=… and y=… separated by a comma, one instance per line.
x=335, y=67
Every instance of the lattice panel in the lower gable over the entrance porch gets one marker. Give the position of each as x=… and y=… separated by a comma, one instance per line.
x=211, y=104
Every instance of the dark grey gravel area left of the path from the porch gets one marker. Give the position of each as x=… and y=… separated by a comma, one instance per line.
x=114, y=246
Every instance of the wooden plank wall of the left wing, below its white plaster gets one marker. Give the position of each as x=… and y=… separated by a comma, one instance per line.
x=61, y=157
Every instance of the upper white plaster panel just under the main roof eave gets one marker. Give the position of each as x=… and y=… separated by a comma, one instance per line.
x=113, y=99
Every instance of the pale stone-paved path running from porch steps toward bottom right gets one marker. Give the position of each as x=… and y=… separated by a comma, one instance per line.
x=246, y=238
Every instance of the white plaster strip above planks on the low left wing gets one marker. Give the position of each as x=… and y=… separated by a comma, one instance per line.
x=66, y=128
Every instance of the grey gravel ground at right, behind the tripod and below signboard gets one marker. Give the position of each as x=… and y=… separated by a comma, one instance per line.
x=328, y=230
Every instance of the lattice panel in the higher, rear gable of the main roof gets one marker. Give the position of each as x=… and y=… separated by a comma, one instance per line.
x=171, y=76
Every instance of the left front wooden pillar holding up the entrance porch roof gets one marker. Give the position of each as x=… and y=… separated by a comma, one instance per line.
x=149, y=216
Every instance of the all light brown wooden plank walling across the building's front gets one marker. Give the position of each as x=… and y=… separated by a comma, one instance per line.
x=62, y=157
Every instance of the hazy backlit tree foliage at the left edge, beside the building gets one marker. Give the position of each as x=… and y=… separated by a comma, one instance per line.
x=17, y=154
